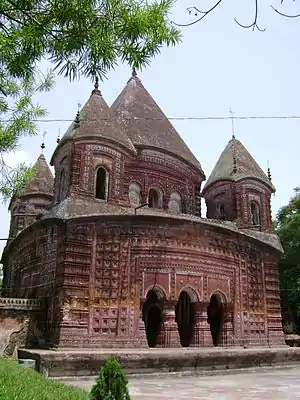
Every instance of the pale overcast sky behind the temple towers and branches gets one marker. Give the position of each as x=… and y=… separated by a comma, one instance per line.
x=218, y=66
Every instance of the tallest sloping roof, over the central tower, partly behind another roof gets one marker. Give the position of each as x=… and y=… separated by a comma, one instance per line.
x=145, y=124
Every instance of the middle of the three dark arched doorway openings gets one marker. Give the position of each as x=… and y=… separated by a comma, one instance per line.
x=185, y=317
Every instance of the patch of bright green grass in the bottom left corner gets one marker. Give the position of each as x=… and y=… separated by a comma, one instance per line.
x=21, y=383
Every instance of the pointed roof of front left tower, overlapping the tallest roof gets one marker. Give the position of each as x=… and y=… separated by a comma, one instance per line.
x=94, y=120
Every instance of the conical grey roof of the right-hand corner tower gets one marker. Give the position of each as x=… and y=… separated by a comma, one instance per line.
x=245, y=166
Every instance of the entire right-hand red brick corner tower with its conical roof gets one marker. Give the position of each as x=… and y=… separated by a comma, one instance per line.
x=238, y=189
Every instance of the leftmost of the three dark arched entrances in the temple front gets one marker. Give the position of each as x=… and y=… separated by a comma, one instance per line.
x=152, y=315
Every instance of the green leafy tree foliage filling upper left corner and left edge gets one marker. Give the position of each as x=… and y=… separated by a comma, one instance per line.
x=80, y=38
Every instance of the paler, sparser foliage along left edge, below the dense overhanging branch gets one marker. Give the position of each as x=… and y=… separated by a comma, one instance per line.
x=21, y=114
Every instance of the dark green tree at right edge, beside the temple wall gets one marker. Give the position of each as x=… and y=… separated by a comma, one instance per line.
x=288, y=230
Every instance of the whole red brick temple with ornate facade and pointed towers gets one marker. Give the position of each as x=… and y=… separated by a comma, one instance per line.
x=117, y=246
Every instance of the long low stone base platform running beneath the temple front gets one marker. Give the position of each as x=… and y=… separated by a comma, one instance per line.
x=86, y=363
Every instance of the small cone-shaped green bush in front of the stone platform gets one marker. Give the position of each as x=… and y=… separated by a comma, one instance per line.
x=111, y=383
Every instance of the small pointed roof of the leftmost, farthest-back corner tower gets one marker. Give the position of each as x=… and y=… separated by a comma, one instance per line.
x=42, y=180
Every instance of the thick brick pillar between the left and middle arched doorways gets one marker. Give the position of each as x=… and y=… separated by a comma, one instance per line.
x=169, y=335
